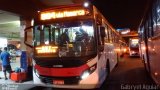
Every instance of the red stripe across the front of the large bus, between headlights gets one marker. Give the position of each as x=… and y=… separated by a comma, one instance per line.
x=76, y=71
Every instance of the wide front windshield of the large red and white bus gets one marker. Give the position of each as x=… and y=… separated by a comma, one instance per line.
x=74, y=38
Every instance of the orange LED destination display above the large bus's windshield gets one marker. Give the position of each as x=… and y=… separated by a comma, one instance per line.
x=61, y=14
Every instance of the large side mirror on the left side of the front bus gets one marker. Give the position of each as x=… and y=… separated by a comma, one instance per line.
x=28, y=36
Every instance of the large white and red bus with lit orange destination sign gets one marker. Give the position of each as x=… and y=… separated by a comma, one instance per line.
x=84, y=59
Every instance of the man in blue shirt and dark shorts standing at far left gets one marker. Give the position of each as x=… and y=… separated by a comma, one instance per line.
x=5, y=57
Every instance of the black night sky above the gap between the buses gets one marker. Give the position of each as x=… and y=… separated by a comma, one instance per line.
x=122, y=13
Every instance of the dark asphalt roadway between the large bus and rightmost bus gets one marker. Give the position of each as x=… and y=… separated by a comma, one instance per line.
x=130, y=74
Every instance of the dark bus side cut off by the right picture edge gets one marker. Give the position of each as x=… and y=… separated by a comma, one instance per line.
x=149, y=34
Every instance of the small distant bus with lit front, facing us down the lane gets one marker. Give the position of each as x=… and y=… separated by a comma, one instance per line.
x=134, y=46
